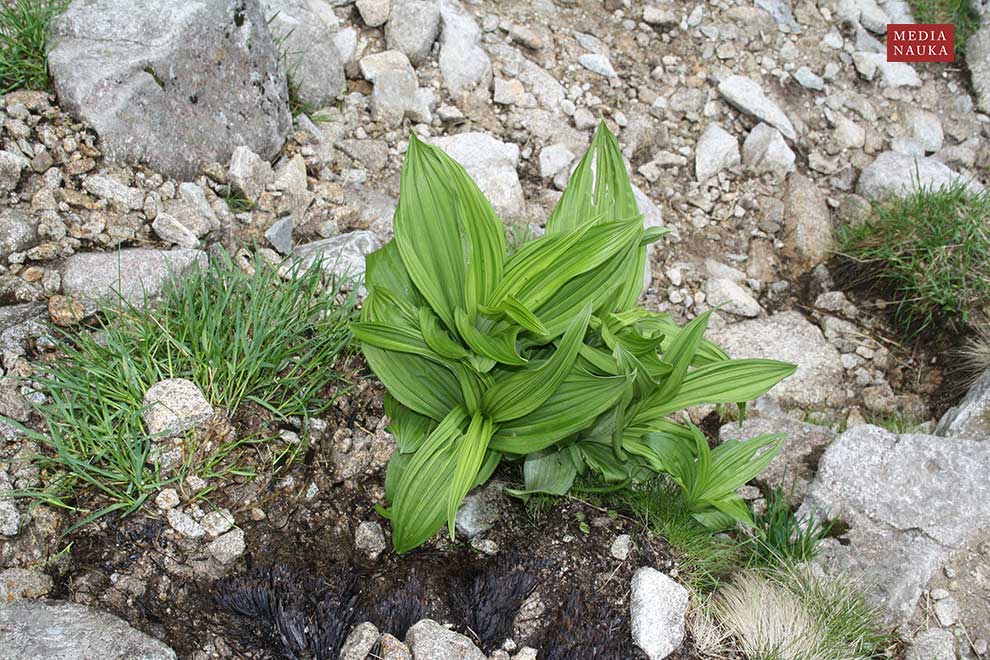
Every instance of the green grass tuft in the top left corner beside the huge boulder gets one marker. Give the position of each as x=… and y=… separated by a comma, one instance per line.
x=23, y=43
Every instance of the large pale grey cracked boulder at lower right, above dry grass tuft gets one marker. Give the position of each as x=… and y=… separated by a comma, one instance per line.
x=908, y=501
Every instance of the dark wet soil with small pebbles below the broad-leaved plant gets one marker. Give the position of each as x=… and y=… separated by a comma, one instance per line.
x=138, y=569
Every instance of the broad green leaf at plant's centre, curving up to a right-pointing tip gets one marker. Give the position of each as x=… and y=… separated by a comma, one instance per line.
x=525, y=390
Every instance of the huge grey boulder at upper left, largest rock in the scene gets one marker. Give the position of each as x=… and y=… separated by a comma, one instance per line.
x=175, y=84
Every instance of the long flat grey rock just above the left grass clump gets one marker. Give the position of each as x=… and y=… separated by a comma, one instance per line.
x=130, y=273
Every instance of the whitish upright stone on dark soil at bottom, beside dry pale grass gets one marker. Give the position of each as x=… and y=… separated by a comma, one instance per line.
x=657, y=607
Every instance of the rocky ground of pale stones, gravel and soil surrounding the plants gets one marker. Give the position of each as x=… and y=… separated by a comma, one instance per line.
x=752, y=129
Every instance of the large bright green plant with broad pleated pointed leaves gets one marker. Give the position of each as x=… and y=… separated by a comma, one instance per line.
x=542, y=355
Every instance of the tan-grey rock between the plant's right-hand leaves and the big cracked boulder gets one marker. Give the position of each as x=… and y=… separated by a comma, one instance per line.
x=794, y=467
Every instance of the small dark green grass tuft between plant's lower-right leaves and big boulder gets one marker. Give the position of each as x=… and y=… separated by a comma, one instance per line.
x=782, y=538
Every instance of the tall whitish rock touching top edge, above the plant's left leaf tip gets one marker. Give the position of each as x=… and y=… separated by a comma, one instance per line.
x=464, y=64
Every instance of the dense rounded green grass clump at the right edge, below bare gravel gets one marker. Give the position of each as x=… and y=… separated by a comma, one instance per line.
x=928, y=252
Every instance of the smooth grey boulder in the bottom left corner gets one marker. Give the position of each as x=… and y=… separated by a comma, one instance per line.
x=35, y=629
